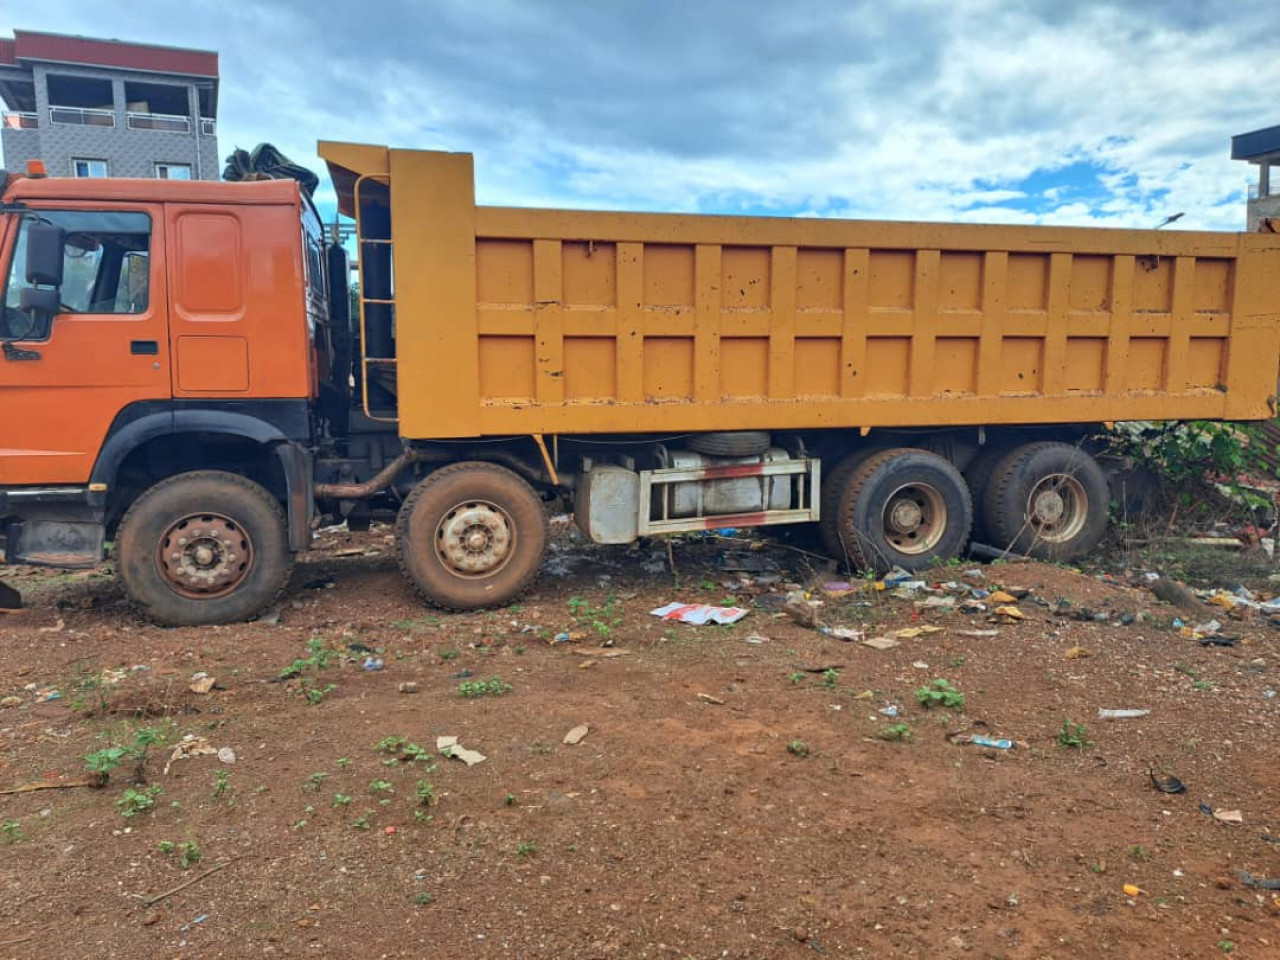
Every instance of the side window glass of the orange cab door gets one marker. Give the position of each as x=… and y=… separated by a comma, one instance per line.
x=106, y=266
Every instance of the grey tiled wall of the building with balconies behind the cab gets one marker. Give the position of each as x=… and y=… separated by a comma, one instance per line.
x=129, y=153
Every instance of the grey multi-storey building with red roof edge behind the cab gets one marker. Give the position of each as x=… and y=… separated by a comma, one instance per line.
x=104, y=108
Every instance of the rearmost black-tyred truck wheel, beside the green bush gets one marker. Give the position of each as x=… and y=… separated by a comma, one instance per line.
x=1048, y=501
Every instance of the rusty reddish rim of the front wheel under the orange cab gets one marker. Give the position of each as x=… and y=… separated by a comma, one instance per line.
x=204, y=556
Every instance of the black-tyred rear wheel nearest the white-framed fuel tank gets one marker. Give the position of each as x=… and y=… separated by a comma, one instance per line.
x=903, y=508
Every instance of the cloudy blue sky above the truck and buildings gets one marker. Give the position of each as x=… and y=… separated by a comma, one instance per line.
x=1098, y=112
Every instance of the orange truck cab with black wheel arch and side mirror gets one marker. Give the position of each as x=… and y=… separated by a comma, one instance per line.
x=153, y=328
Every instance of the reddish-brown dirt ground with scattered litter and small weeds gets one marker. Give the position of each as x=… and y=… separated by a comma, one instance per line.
x=733, y=798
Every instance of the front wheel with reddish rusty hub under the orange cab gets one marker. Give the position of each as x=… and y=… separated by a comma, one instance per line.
x=205, y=547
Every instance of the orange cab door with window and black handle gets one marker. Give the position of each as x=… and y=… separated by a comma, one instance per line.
x=63, y=380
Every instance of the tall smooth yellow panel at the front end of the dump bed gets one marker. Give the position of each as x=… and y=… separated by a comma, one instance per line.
x=437, y=336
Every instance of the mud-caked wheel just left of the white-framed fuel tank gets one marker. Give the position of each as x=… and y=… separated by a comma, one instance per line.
x=472, y=536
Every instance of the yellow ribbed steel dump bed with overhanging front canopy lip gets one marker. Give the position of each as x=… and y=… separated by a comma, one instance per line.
x=550, y=322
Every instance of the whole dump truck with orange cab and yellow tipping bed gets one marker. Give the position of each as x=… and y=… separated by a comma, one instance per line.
x=191, y=381
